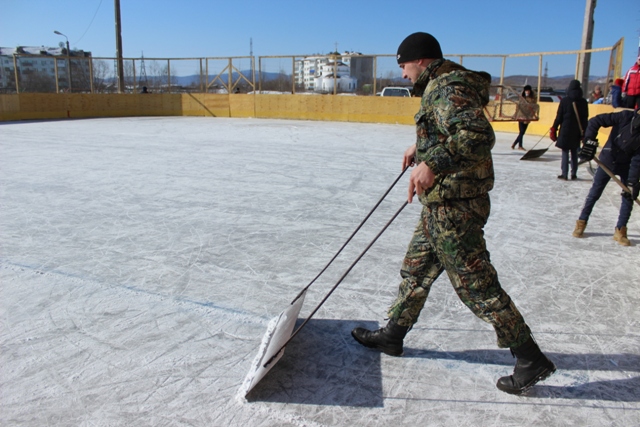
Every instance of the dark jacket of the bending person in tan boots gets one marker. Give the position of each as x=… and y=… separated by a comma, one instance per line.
x=623, y=144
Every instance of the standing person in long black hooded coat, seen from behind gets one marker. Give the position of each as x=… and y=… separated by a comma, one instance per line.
x=571, y=131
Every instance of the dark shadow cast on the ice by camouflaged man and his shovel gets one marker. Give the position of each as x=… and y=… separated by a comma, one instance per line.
x=323, y=365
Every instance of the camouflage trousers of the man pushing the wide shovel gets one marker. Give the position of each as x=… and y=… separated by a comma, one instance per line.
x=450, y=237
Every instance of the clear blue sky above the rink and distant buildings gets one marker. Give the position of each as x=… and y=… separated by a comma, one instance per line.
x=207, y=28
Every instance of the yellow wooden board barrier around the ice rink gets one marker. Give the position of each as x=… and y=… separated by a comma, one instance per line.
x=360, y=109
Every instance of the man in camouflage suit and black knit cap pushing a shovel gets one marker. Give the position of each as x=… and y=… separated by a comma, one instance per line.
x=452, y=178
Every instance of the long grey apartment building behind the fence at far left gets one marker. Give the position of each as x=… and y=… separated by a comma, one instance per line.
x=37, y=68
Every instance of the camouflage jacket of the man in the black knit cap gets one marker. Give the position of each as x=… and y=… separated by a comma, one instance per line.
x=454, y=136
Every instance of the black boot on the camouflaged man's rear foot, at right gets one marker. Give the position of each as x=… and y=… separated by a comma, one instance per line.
x=531, y=366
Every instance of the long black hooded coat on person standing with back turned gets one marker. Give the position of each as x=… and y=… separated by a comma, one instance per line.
x=569, y=136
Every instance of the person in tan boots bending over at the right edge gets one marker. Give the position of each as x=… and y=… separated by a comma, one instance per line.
x=621, y=155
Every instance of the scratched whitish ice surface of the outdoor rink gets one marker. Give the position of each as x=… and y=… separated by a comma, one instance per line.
x=142, y=259
